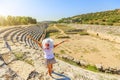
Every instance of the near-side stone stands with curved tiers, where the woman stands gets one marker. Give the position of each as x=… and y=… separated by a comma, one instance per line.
x=22, y=59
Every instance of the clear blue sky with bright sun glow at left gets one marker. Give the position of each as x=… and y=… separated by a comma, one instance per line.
x=54, y=9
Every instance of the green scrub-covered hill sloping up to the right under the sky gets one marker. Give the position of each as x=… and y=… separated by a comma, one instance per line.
x=111, y=17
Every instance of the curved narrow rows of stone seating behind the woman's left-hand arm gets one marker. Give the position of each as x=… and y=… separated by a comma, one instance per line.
x=19, y=35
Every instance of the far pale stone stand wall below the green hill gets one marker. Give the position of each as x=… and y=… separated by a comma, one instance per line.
x=111, y=33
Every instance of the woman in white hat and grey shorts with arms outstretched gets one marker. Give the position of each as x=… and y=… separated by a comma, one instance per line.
x=47, y=46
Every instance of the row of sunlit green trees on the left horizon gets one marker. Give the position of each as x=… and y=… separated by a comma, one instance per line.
x=16, y=20
